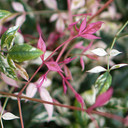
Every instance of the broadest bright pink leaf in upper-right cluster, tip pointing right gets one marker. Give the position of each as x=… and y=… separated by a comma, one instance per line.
x=93, y=27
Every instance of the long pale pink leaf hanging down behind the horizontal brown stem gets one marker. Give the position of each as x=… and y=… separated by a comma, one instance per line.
x=44, y=94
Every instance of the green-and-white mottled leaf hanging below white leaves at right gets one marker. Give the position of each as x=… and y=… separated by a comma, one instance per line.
x=103, y=82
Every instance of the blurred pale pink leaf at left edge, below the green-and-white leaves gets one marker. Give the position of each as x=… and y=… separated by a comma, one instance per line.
x=9, y=81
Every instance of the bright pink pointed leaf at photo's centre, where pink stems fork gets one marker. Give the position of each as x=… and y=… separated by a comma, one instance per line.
x=53, y=66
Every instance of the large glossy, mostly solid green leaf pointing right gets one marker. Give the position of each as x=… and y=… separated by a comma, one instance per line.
x=20, y=53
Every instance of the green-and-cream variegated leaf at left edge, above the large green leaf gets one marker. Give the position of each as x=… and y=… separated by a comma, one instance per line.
x=8, y=37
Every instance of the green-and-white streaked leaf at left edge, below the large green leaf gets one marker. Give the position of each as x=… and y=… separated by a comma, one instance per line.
x=6, y=69
